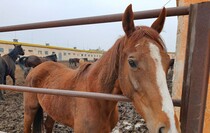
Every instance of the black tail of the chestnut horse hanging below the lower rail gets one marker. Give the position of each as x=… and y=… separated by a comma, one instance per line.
x=38, y=121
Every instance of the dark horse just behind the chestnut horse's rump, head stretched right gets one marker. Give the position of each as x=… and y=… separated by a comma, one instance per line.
x=28, y=62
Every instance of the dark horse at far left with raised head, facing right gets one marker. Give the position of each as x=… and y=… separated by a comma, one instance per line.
x=7, y=65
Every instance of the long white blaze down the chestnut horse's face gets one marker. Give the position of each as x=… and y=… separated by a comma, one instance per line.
x=167, y=105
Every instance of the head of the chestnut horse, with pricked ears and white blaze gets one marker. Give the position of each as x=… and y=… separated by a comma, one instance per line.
x=144, y=63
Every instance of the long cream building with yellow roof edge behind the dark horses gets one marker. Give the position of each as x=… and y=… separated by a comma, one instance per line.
x=41, y=50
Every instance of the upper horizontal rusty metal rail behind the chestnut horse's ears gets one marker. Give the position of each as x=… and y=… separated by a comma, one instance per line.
x=97, y=19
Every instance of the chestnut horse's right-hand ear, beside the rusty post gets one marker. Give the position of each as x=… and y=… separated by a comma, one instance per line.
x=159, y=22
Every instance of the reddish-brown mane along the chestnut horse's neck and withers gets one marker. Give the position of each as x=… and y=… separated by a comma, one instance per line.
x=107, y=75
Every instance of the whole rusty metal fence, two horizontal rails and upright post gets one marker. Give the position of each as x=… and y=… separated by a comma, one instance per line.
x=196, y=69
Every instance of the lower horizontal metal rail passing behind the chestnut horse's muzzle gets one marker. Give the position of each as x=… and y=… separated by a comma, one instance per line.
x=96, y=95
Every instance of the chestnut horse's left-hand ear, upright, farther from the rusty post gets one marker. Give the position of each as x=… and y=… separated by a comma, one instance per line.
x=127, y=21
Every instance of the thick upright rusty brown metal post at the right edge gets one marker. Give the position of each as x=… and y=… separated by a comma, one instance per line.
x=196, y=70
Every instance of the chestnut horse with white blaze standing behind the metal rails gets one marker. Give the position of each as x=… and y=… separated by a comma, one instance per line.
x=135, y=66
